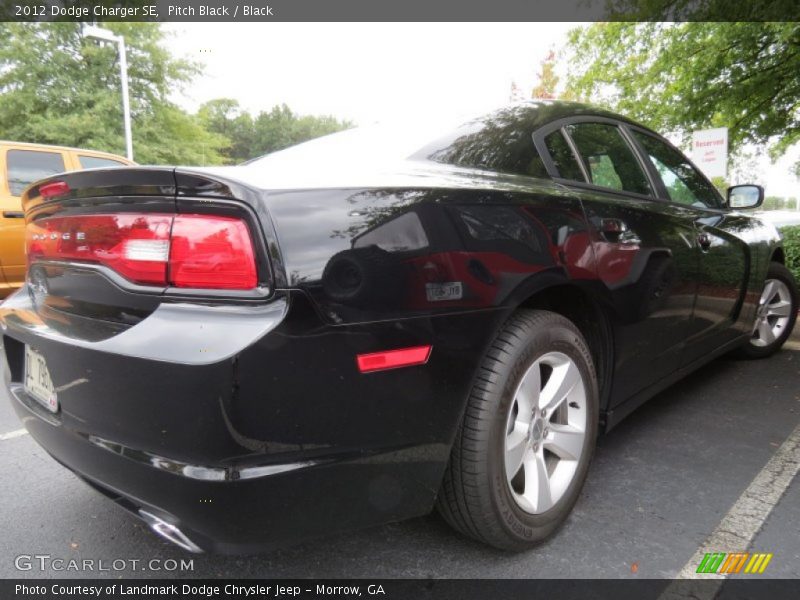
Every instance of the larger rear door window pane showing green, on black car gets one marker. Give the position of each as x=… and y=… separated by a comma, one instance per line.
x=609, y=158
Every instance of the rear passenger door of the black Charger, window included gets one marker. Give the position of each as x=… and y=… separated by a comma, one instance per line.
x=643, y=246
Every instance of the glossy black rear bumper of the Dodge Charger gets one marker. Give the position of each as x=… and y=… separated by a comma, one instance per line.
x=274, y=440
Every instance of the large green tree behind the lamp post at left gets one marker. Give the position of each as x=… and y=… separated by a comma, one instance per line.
x=61, y=88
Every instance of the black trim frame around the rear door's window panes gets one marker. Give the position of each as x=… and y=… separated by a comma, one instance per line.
x=560, y=124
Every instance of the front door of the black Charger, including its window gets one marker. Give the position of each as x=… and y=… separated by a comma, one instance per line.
x=723, y=257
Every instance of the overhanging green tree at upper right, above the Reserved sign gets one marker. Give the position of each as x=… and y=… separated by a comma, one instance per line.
x=681, y=77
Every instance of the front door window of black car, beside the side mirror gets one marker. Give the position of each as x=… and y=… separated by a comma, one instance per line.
x=685, y=185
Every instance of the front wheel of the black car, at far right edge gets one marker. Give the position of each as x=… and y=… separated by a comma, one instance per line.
x=776, y=313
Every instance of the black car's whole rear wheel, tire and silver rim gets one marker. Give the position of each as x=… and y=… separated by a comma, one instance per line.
x=523, y=449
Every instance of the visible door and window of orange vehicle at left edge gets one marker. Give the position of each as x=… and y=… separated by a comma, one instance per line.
x=22, y=166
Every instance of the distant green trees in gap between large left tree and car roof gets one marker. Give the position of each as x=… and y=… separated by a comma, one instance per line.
x=267, y=132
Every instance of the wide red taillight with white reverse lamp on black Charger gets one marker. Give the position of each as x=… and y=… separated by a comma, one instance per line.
x=188, y=251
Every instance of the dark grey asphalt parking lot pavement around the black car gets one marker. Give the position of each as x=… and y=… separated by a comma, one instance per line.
x=661, y=482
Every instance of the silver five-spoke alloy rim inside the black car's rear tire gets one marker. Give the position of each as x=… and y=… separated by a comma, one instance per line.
x=545, y=432
